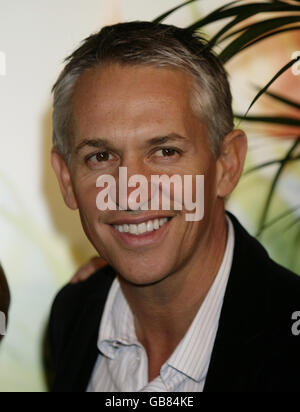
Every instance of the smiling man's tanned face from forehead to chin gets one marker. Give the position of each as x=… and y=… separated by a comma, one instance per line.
x=140, y=118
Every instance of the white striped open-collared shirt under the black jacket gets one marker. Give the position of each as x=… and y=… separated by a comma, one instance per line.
x=122, y=364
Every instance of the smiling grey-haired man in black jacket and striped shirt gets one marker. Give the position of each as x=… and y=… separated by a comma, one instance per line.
x=183, y=305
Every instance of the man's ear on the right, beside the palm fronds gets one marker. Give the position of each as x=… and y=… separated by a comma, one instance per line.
x=230, y=162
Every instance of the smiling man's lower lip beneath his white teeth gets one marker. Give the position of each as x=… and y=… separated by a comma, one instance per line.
x=145, y=239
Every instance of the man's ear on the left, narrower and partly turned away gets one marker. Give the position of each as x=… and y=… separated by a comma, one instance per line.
x=63, y=175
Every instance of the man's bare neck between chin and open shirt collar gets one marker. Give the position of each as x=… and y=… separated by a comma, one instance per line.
x=164, y=311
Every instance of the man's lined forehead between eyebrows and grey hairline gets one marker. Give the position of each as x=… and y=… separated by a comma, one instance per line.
x=121, y=100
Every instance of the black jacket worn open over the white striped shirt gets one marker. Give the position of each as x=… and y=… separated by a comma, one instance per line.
x=255, y=349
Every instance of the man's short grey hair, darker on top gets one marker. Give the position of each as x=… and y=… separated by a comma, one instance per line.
x=158, y=45
